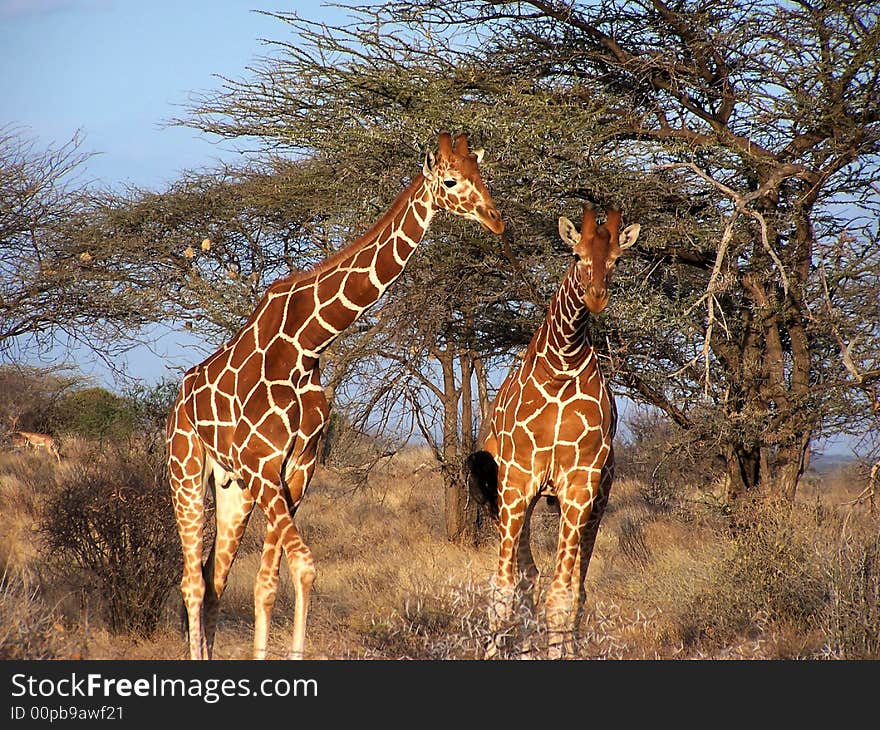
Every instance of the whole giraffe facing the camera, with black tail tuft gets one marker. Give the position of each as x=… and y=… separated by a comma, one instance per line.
x=550, y=434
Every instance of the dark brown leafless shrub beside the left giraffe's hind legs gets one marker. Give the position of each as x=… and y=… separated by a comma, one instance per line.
x=111, y=524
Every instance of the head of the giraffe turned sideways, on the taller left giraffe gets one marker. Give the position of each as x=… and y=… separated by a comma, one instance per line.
x=453, y=177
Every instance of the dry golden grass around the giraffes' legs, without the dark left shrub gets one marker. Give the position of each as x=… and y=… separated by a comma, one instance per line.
x=668, y=580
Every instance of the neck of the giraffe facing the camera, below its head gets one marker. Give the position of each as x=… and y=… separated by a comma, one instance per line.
x=563, y=340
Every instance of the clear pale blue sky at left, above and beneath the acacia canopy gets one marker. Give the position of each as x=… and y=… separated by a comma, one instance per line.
x=117, y=71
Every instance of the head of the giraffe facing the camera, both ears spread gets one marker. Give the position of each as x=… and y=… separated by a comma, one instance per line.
x=596, y=249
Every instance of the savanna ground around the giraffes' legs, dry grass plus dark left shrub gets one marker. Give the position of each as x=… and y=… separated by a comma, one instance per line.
x=92, y=561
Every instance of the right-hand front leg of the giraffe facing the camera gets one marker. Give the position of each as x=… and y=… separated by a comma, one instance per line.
x=576, y=501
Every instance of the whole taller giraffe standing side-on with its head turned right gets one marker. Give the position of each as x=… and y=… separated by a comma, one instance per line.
x=248, y=419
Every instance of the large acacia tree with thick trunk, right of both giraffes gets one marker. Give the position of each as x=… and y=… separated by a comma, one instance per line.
x=756, y=128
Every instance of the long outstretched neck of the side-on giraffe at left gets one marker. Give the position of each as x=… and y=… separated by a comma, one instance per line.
x=339, y=290
